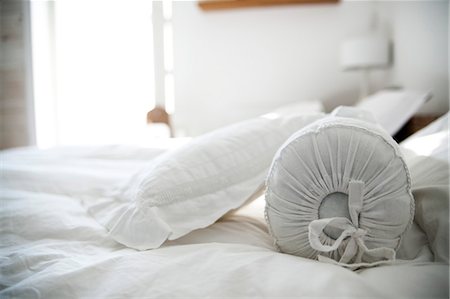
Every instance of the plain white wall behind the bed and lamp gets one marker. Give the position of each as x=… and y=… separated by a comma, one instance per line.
x=235, y=64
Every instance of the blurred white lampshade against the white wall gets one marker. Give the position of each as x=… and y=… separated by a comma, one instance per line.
x=364, y=53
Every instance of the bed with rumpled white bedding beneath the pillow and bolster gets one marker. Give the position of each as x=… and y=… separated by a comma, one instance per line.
x=53, y=246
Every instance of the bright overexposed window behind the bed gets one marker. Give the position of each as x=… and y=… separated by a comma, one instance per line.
x=93, y=71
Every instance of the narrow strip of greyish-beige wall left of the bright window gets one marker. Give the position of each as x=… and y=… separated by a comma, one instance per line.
x=16, y=117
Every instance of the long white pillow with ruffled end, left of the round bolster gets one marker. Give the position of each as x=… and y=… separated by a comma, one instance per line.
x=195, y=185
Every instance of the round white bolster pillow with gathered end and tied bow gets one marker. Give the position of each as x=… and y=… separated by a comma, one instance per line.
x=339, y=191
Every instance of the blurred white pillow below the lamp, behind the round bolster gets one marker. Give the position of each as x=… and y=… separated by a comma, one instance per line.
x=393, y=108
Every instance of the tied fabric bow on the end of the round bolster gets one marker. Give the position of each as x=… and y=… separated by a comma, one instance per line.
x=355, y=251
